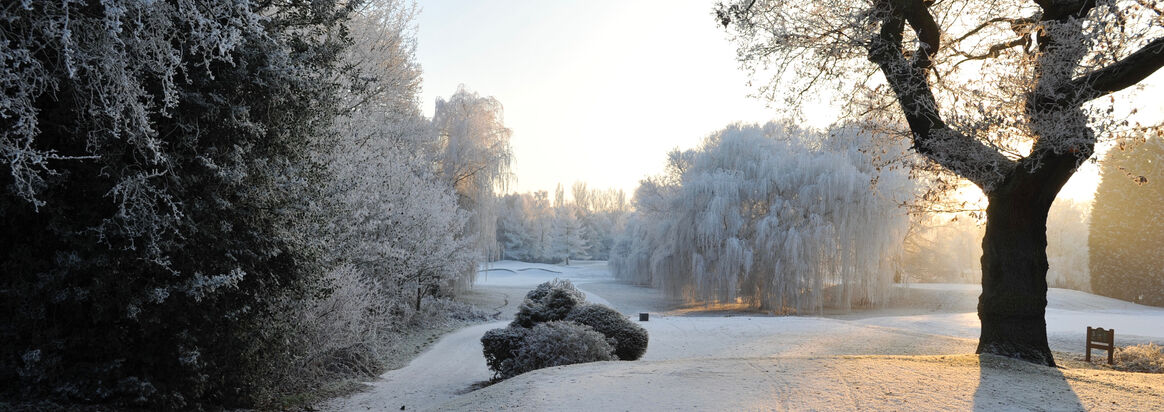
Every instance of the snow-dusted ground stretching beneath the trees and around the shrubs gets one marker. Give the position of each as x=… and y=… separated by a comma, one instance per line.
x=914, y=356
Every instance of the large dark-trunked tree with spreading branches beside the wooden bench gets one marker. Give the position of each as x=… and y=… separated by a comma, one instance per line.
x=1005, y=95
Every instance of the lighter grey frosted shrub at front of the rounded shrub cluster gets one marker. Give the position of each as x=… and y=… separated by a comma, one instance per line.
x=556, y=344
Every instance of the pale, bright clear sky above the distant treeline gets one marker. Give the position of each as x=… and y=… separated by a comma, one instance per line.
x=599, y=91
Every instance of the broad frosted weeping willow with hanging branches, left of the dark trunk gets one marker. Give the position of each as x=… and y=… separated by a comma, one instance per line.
x=776, y=218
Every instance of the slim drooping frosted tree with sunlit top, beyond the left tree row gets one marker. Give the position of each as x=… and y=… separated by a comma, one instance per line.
x=475, y=155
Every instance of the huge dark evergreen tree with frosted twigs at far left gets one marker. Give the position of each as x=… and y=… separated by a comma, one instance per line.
x=157, y=159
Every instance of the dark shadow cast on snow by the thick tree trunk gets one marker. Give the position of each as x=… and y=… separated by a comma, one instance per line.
x=1012, y=385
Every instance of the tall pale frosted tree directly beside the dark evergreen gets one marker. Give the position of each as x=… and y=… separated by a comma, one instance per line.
x=399, y=221
